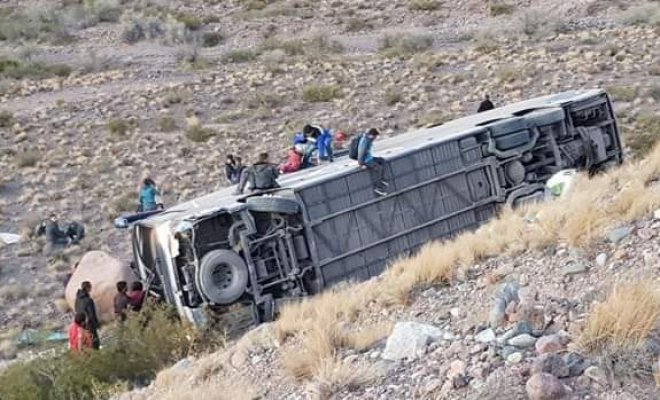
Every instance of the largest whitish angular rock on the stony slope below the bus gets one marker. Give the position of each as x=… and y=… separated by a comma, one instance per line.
x=409, y=340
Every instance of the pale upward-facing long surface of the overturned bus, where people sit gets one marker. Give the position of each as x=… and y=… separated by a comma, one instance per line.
x=223, y=199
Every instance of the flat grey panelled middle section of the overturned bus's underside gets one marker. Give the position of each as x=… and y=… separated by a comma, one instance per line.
x=437, y=191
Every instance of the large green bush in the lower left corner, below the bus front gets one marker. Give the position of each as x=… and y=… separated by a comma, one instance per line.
x=134, y=354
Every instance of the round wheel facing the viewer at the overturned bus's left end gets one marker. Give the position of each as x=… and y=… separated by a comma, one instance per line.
x=223, y=276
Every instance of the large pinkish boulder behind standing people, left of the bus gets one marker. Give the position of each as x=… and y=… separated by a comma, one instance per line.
x=103, y=271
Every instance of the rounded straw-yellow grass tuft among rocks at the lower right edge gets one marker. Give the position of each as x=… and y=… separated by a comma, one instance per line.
x=626, y=319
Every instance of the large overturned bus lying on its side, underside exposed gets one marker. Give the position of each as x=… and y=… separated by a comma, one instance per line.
x=326, y=224
